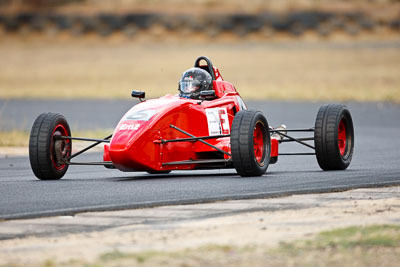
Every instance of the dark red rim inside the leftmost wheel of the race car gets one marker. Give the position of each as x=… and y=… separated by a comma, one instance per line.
x=59, y=148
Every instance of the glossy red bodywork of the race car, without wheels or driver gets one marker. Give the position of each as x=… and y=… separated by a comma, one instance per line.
x=137, y=142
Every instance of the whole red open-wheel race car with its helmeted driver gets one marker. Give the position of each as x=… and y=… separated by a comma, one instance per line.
x=206, y=126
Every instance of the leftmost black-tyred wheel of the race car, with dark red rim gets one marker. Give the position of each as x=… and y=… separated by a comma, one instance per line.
x=47, y=155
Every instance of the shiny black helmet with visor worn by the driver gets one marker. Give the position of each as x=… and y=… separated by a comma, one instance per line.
x=193, y=81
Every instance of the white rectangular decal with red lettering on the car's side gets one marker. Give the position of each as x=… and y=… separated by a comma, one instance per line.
x=218, y=121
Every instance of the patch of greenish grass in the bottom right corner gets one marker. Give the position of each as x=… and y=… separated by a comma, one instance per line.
x=376, y=245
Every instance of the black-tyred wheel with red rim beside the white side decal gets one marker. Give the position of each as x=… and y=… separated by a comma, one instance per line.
x=250, y=143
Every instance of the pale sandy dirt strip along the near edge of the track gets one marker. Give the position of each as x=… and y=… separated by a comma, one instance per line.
x=193, y=230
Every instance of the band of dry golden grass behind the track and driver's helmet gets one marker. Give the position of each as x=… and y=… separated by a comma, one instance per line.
x=297, y=71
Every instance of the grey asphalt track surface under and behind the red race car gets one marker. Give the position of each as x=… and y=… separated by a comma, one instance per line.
x=376, y=163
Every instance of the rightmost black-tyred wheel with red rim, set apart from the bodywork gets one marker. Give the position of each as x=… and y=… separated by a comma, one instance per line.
x=334, y=137
